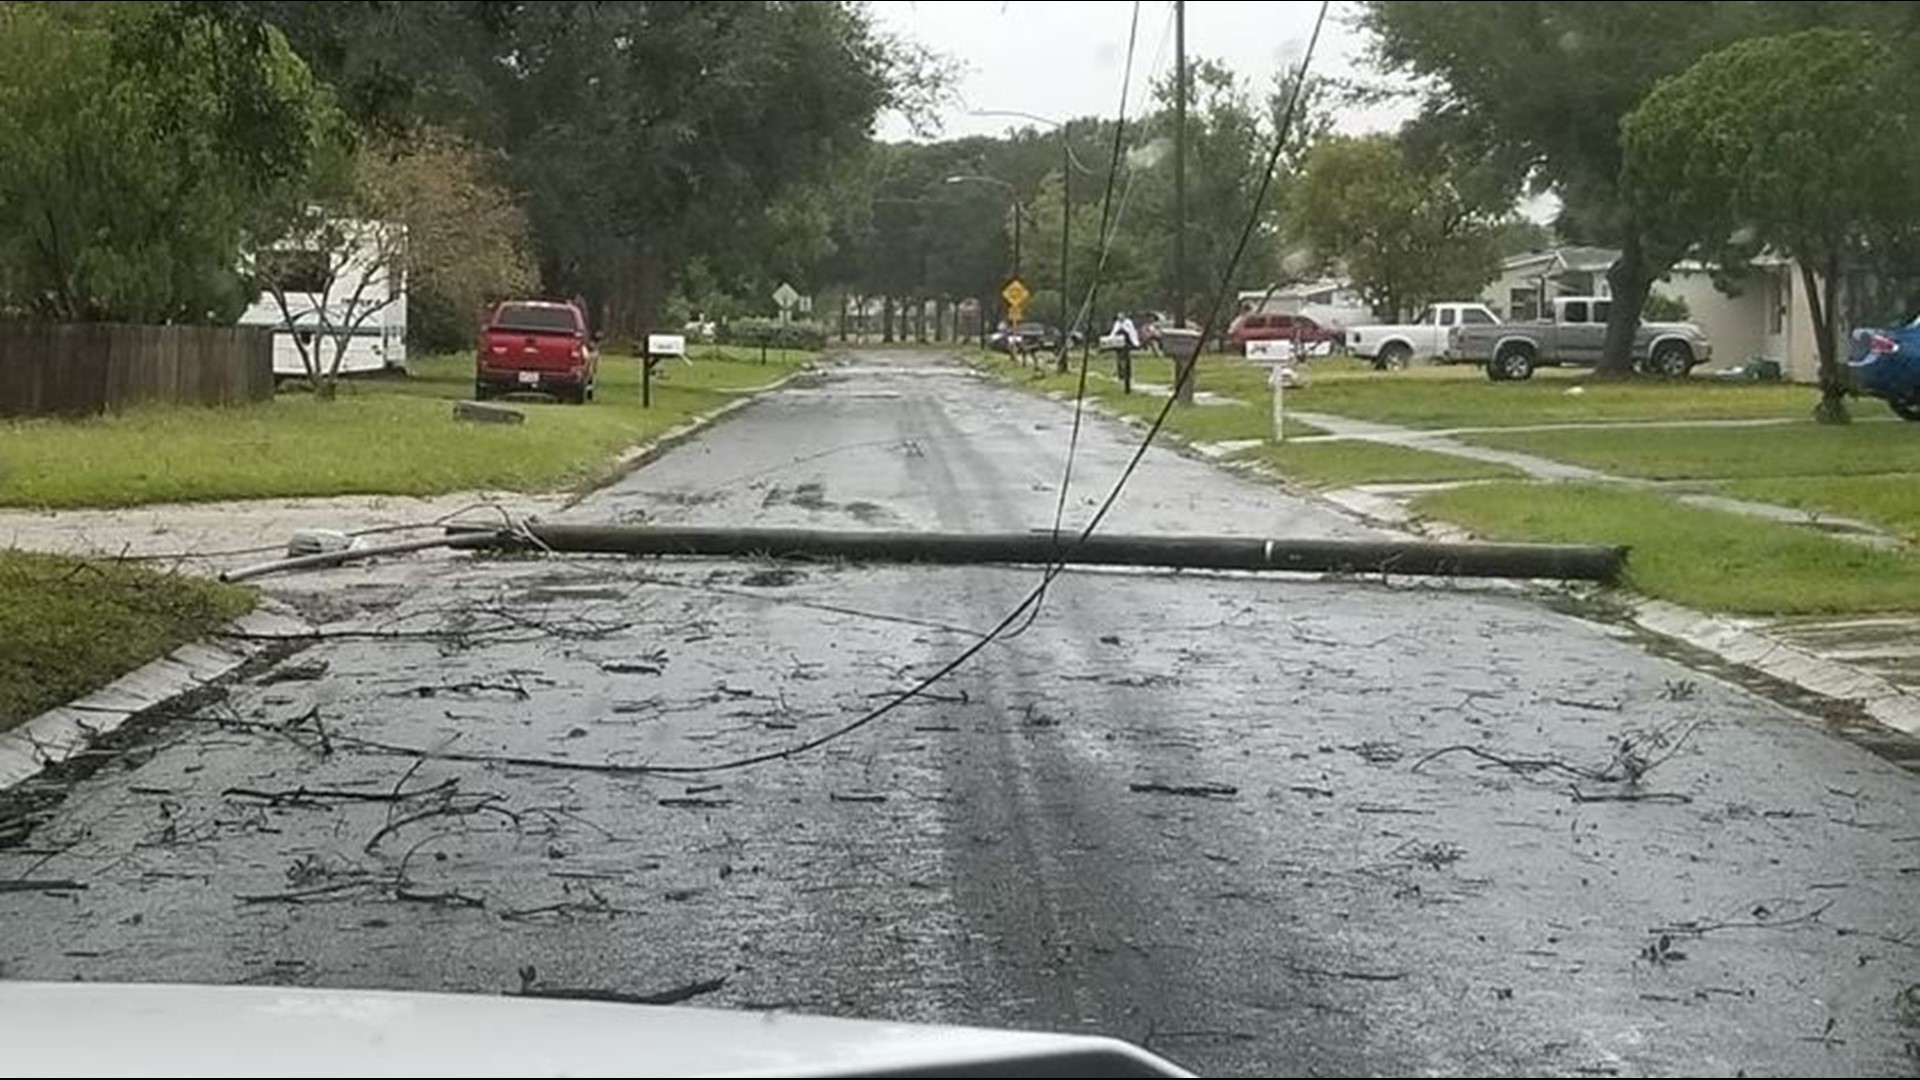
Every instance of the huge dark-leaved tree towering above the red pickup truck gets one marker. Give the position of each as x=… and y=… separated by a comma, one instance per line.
x=642, y=137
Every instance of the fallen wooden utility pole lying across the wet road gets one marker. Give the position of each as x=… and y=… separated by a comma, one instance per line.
x=1558, y=562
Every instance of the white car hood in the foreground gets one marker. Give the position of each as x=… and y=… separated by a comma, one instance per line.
x=76, y=1029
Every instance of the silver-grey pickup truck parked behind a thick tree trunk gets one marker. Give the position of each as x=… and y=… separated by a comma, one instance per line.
x=1573, y=335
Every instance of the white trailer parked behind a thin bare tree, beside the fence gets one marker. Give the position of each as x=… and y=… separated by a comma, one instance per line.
x=352, y=285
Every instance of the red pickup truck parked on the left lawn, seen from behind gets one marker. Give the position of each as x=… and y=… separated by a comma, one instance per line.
x=537, y=347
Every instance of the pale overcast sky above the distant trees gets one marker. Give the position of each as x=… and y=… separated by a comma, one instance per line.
x=1067, y=59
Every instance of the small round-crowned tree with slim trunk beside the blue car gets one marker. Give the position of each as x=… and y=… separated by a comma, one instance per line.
x=1796, y=145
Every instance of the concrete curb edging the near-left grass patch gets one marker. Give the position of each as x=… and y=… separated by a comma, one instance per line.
x=70, y=729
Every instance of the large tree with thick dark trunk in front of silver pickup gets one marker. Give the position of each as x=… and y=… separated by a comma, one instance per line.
x=1541, y=89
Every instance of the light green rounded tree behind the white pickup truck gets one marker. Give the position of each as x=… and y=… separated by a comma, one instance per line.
x=1406, y=237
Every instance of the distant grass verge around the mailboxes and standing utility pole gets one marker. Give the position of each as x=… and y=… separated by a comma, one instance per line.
x=1230, y=378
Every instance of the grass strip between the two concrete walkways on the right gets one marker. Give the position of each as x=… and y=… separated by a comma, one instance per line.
x=1677, y=454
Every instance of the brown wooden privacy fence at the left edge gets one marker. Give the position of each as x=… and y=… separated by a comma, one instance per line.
x=95, y=368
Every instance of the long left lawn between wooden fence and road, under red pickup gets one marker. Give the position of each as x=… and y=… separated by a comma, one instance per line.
x=381, y=437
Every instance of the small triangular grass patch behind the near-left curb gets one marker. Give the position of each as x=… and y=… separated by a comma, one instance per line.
x=74, y=626
